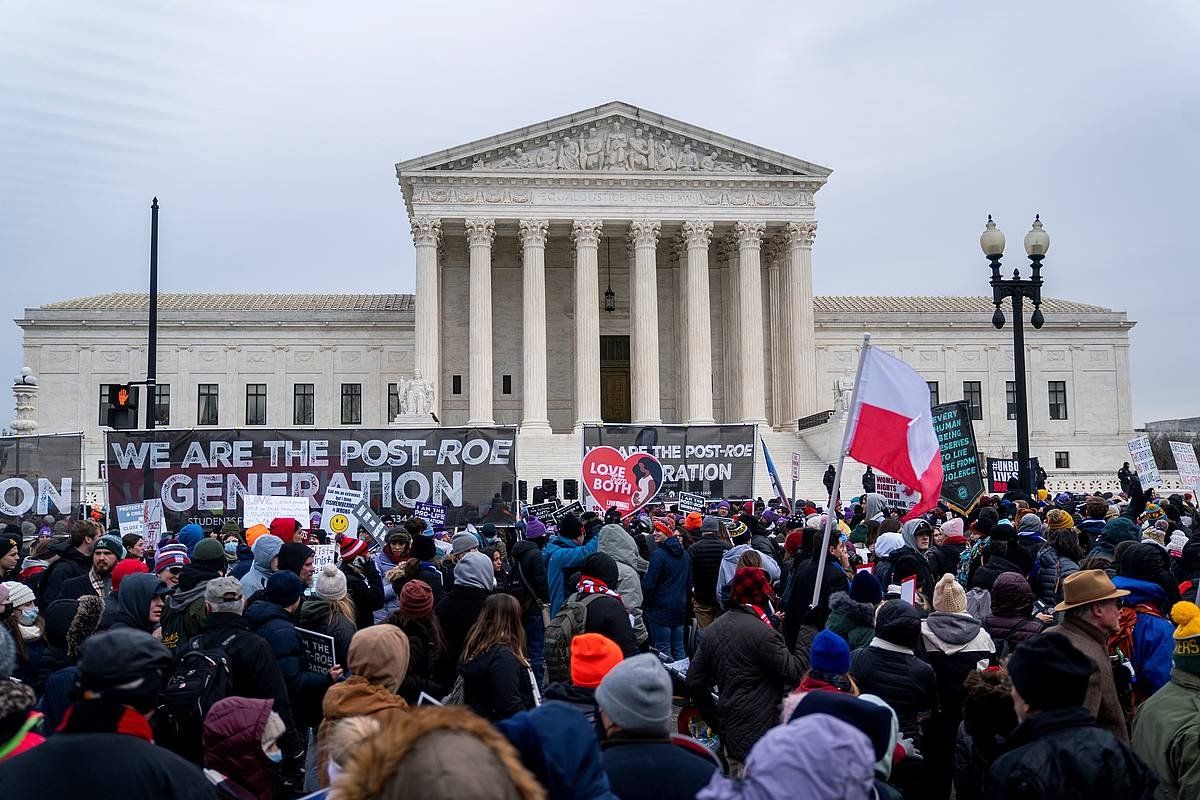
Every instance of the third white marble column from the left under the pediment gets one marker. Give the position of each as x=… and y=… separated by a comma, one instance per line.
x=533, y=242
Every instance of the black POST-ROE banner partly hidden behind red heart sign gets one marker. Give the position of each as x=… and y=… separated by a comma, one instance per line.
x=716, y=461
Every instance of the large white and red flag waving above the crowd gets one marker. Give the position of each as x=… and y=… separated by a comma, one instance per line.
x=891, y=426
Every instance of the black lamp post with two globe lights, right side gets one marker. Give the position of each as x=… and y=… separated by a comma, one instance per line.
x=1037, y=243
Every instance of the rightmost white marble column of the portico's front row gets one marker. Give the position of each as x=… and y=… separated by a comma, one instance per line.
x=802, y=334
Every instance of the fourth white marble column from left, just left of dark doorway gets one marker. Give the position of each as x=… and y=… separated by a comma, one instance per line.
x=587, y=322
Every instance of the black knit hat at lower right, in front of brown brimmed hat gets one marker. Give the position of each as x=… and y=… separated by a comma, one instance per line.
x=1049, y=673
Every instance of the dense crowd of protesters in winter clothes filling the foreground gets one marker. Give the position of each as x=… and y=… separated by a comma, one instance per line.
x=1040, y=647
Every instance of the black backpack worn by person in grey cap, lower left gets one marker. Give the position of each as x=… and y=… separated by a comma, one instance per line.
x=201, y=678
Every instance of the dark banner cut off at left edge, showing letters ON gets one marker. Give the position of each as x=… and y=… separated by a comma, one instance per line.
x=41, y=476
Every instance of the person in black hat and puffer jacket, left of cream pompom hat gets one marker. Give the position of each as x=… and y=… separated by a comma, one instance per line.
x=902, y=679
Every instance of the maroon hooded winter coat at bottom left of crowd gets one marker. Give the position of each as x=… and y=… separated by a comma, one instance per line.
x=233, y=744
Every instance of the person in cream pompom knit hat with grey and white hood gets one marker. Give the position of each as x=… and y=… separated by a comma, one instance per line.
x=956, y=645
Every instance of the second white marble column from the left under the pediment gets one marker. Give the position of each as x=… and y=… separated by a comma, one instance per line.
x=481, y=234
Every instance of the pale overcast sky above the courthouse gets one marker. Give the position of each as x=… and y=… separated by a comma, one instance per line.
x=269, y=131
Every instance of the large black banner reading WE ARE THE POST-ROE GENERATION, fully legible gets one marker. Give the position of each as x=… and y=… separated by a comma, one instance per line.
x=202, y=476
